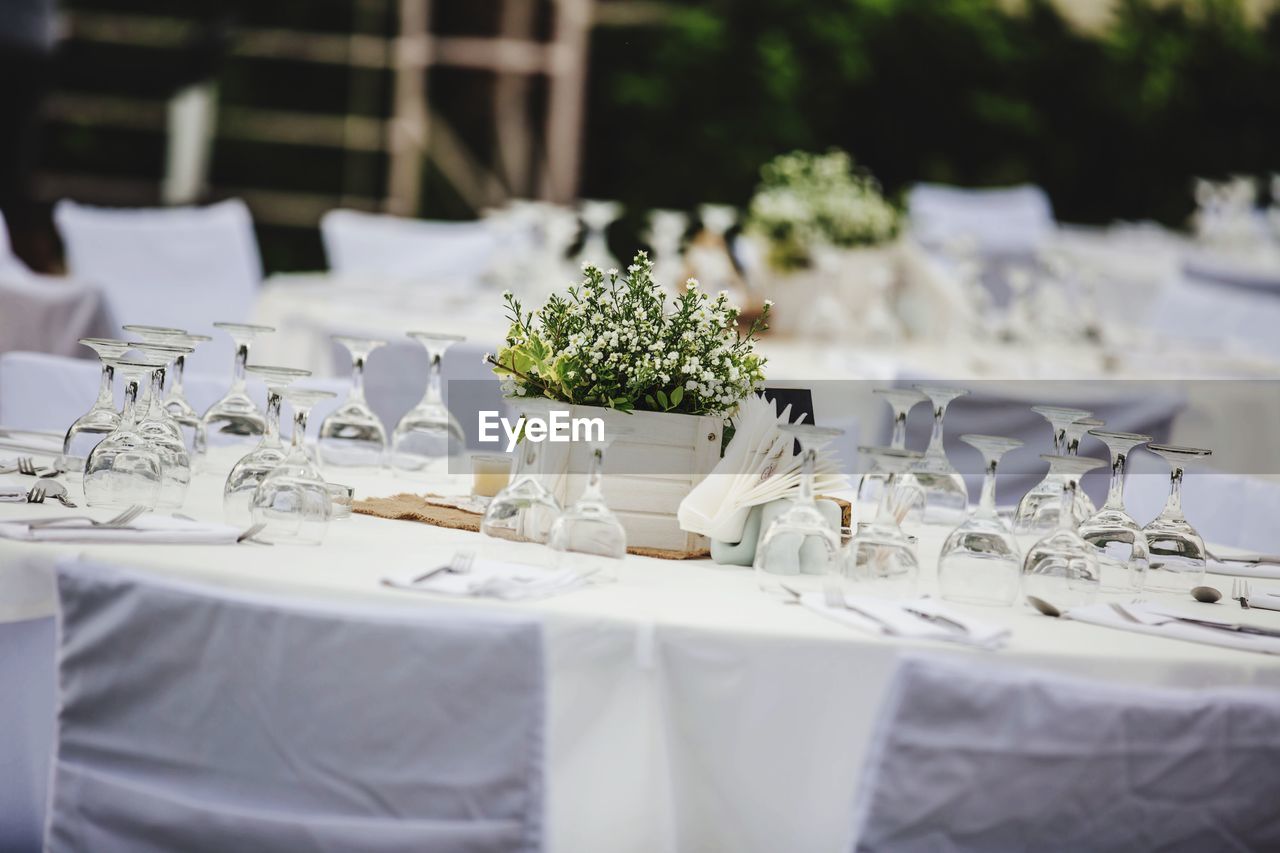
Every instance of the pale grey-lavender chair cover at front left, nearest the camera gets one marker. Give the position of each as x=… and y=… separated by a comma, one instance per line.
x=203, y=720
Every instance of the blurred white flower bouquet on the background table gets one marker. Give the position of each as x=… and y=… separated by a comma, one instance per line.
x=806, y=200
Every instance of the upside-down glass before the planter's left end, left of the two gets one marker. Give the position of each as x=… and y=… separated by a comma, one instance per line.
x=522, y=513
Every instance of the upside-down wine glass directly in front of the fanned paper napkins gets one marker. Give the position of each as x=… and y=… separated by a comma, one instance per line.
x=802, y=528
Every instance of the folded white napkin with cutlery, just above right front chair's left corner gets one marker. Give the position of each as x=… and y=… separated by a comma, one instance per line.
x=898, y=622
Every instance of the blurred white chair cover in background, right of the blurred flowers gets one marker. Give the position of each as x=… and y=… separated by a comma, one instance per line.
x=1002, y=222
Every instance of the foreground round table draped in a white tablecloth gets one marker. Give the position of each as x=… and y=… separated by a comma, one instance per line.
x=688, y=711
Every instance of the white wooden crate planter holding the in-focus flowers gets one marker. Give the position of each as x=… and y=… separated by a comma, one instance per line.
x=647, y=473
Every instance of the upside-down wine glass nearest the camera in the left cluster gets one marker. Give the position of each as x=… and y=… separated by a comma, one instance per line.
x=292, y=500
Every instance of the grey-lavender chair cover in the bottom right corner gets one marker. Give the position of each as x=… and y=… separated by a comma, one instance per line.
x=973, y=758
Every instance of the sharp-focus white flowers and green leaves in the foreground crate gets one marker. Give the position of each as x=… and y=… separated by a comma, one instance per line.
x=619, y=341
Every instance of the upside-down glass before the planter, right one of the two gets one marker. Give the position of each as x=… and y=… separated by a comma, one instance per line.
x=588, y=537
